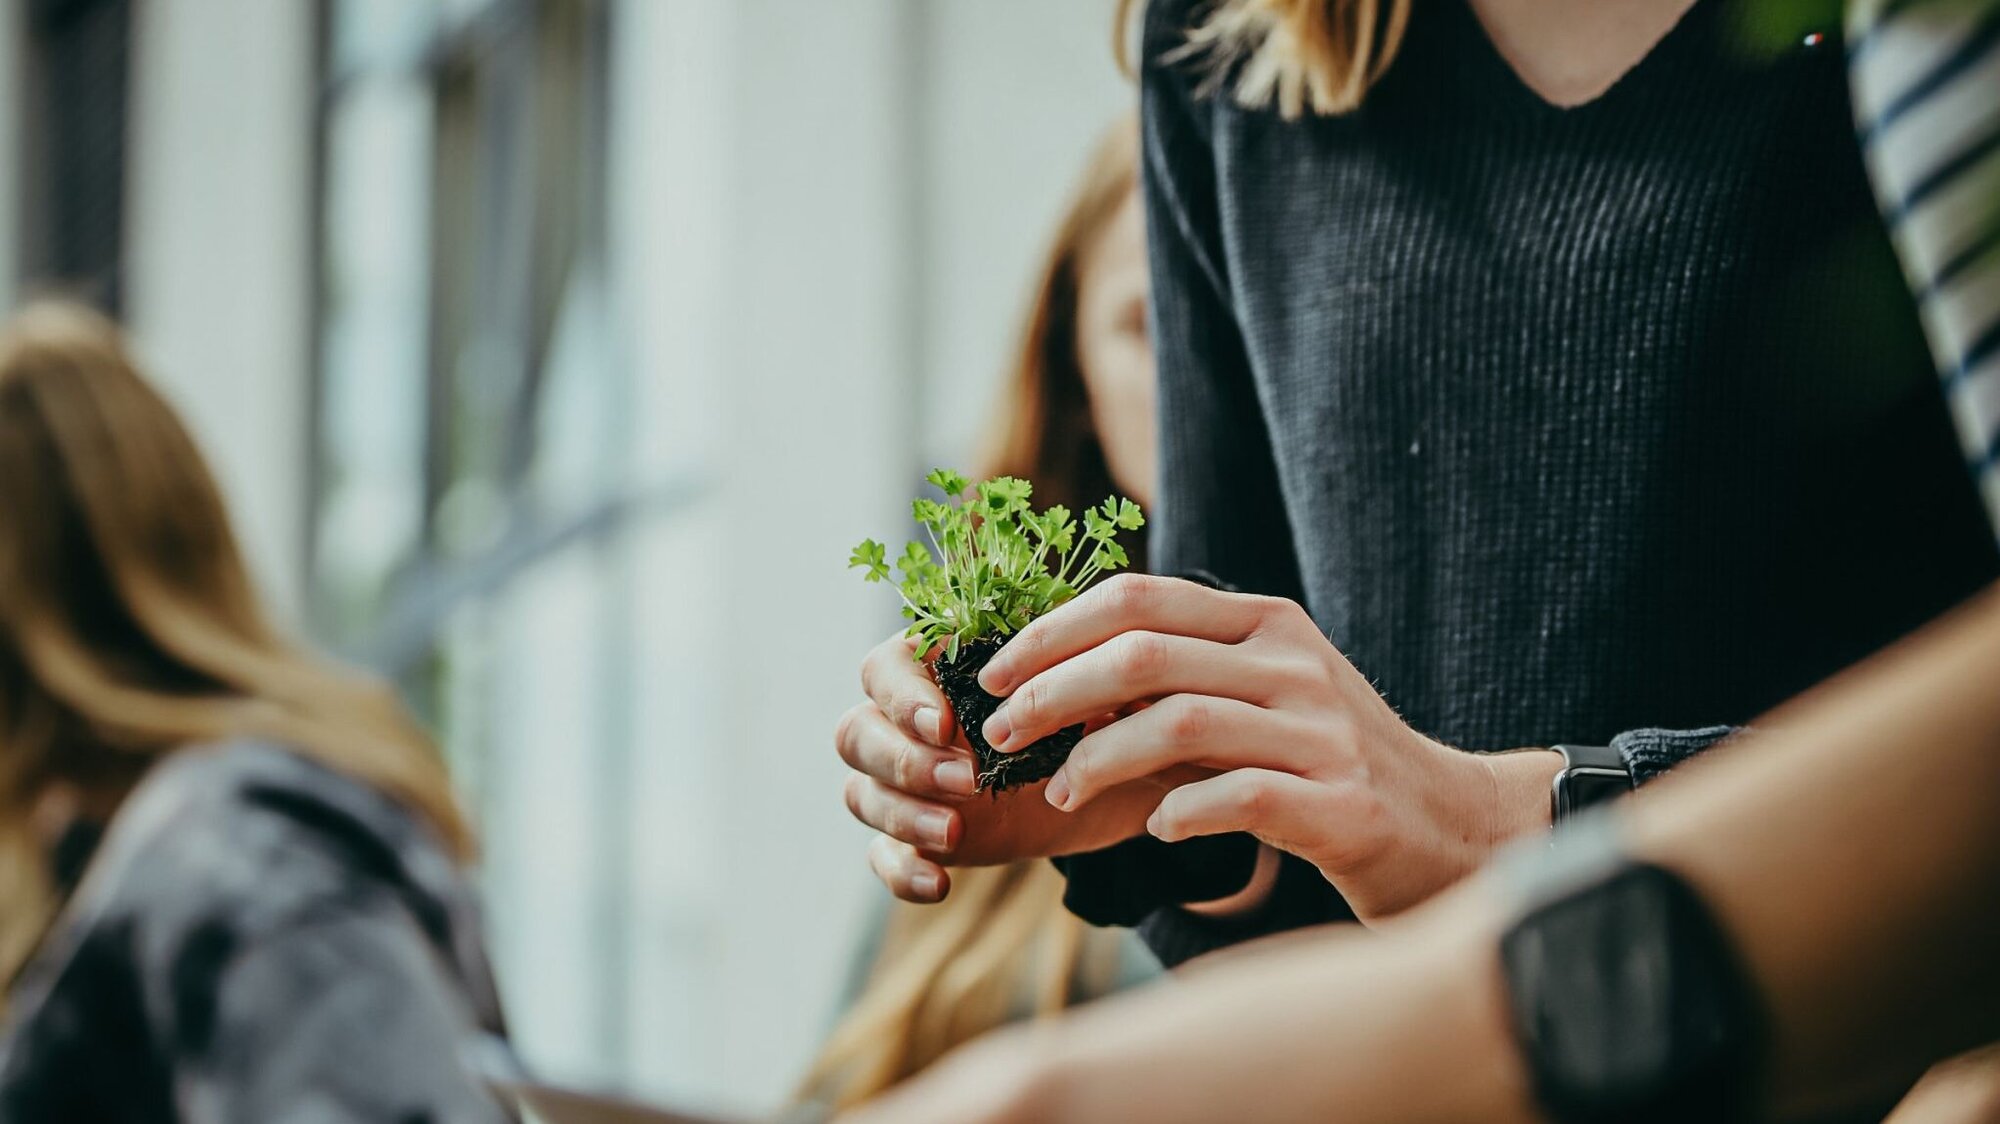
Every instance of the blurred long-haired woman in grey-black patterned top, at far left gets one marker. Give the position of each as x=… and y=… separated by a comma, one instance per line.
x=231, y=877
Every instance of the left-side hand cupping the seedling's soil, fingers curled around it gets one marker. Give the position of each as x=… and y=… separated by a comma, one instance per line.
x=915, y=783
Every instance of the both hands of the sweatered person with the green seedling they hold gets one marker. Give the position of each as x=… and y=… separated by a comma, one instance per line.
x=1237, y=717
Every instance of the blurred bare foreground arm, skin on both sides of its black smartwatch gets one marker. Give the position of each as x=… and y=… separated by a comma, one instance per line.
x=1865, y=903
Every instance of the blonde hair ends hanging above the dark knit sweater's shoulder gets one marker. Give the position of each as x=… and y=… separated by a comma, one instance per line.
x=1293, y=55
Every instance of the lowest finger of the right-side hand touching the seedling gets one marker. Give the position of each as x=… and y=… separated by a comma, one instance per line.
x=1287, y=811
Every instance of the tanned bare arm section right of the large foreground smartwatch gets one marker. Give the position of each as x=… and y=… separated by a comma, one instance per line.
x=1865, y=899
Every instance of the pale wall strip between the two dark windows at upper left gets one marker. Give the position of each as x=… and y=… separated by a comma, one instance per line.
x=217, y=249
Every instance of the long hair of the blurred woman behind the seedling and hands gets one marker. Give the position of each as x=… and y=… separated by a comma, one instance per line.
x=1003, y=943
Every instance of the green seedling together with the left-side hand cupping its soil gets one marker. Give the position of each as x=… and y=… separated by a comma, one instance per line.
x=993, y=567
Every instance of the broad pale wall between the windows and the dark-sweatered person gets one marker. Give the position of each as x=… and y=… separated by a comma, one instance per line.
x=827, y=223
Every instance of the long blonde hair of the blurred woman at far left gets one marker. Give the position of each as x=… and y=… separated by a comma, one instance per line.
x=129, y=623
